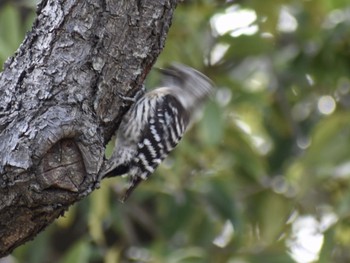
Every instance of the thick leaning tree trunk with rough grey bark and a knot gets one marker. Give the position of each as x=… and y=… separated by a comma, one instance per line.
x=62, y=99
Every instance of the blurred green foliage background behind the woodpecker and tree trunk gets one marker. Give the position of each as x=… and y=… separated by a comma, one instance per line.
x=264, y=176
